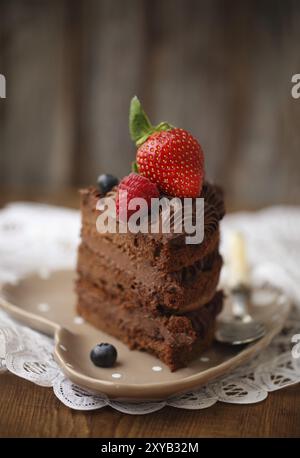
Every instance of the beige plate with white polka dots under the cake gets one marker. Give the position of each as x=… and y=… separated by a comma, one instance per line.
x=48, y=305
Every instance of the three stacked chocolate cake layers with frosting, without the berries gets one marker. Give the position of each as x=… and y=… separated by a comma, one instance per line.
x=152, y=291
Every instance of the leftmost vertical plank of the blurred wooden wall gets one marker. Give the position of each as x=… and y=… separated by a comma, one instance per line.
x=37, y=115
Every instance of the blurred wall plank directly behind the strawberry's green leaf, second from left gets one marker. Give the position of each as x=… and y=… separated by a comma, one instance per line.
x=113, y=42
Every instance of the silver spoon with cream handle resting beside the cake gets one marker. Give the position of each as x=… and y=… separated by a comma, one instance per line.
x=241, y=327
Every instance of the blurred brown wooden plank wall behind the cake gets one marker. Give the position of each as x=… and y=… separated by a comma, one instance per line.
x=221, y=69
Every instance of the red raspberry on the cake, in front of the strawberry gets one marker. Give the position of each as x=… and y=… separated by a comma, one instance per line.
x=136, y=186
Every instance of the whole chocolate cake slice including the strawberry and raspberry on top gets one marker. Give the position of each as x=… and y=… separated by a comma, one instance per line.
x=154, y=291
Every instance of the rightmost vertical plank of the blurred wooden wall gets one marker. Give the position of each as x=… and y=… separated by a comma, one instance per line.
x=264, y=58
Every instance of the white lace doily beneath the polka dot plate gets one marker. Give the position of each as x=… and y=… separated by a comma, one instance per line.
x=42, y=238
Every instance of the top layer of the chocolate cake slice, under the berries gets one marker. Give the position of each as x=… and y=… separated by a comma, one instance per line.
x=166, y=252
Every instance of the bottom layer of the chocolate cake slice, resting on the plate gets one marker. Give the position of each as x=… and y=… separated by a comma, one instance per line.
x=173, y=339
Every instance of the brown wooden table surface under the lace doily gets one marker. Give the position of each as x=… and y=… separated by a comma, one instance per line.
x=27, y=410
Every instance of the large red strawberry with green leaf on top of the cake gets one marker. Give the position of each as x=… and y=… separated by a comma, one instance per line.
x=170, y=157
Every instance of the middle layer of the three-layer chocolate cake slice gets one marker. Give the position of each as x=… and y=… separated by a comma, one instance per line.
x=181, y=291
